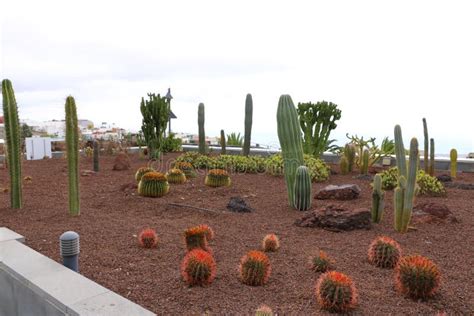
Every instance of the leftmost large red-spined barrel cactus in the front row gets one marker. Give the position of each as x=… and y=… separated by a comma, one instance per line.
x=198, y=268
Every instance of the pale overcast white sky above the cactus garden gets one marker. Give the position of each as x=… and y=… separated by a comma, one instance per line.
x=382, y=62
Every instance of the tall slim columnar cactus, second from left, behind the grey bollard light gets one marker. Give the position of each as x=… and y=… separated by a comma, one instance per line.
x=72, y=146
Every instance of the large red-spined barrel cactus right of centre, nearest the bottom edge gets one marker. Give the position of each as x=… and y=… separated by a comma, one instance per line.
x=335, y=292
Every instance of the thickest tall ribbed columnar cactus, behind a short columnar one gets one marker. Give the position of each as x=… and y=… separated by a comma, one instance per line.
x=289, y=135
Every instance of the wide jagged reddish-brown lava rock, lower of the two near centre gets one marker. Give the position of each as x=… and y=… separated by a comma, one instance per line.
x=336, y=218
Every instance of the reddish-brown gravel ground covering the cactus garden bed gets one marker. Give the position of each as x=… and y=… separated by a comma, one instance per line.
x=112, y=215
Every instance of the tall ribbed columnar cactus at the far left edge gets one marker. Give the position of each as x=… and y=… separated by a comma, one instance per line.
x=12, y=131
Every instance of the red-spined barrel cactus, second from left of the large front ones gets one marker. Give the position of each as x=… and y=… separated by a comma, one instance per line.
x=255, y=268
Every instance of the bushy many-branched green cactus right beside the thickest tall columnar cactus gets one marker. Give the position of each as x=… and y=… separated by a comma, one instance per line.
x=317, y=121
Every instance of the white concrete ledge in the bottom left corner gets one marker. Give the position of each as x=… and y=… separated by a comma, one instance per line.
x=32, y=284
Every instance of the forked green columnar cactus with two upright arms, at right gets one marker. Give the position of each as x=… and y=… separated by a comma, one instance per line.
x=405, y=191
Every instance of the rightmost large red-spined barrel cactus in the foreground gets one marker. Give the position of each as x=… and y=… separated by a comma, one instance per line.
x=417, y=277
